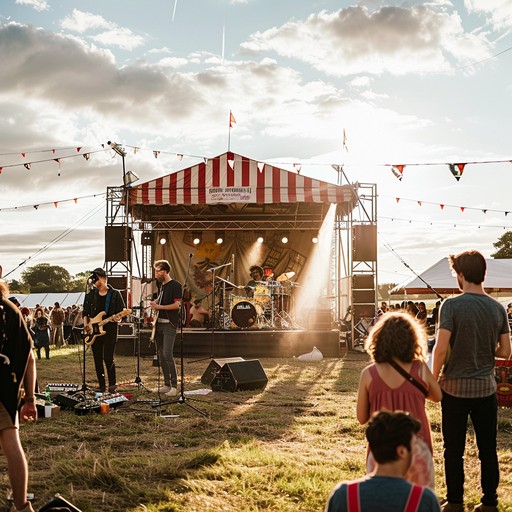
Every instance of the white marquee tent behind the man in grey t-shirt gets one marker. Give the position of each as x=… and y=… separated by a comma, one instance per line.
x=439, y=278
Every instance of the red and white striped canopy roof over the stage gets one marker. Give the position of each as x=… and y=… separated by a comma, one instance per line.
x=232, y=178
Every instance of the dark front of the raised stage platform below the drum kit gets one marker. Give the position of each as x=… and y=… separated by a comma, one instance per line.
x=239, y=343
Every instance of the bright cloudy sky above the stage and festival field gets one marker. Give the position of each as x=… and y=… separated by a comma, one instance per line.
x=414, y=84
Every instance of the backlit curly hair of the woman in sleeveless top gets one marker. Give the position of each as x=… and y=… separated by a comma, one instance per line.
x=397, y=335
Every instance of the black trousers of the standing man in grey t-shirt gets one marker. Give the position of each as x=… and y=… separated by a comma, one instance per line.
x=483, y=413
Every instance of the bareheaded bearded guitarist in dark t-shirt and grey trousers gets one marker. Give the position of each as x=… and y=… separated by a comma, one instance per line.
x=167, y=307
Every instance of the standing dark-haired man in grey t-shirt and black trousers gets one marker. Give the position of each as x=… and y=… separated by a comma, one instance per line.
x=473, y=330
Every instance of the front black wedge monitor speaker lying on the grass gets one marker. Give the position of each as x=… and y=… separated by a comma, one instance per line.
x=240, y=376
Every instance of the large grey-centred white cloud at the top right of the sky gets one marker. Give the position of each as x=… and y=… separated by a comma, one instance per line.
x=357, y=40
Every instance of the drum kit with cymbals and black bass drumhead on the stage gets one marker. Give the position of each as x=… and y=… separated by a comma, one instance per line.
x=266, y=305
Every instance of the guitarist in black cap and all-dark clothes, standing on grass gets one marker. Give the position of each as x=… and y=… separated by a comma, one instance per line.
x=103, y=298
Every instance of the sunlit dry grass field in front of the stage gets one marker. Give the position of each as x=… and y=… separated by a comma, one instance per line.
x=279, y=449
